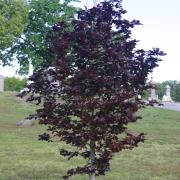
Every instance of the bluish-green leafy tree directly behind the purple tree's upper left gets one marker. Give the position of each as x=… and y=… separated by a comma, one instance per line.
x=31, y=46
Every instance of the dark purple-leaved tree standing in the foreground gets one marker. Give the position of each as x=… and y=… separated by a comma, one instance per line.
x=89, y=93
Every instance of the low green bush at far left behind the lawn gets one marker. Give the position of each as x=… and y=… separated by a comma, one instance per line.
x=14, y=84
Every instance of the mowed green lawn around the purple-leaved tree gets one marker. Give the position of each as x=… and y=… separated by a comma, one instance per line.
x=23, y=157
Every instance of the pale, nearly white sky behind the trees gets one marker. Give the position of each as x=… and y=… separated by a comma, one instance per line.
x=161, y=28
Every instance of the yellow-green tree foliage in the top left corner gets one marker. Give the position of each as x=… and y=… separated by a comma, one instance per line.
x=13, y=17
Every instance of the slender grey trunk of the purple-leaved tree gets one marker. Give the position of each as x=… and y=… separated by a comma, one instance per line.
x=92, y=159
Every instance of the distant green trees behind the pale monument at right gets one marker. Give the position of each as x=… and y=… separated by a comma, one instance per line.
x=175, y=89
